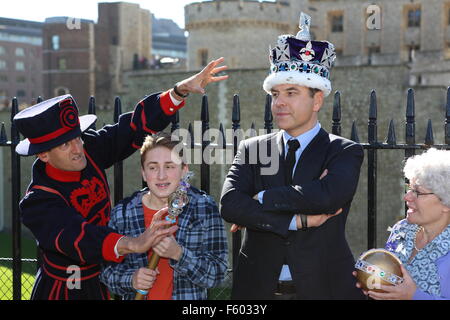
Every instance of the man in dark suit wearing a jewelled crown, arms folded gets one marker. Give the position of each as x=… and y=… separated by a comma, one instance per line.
x=294, y=244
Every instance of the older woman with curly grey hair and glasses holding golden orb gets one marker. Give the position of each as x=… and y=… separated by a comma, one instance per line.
x=422, y=240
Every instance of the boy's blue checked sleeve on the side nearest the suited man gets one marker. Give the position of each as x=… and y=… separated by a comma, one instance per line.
x=204, y=258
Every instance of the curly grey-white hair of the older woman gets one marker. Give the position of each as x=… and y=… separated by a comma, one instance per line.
x=431, y=169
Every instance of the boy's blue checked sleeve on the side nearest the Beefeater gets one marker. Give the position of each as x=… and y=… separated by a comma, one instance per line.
x=118, y=276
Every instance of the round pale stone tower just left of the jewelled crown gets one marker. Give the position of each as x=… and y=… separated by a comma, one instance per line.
x=240, y=30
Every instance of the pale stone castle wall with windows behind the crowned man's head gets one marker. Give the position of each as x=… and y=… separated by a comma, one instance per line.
x=229, y=27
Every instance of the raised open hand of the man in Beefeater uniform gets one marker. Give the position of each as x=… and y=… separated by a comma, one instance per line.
x=198, y=82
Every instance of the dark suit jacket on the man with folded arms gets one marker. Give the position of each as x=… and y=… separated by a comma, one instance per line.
x=319, y=259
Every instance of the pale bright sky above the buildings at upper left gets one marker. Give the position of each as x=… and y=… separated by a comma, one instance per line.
x=38, y=10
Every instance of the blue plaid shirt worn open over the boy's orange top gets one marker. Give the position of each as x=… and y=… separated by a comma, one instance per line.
x=201, y=233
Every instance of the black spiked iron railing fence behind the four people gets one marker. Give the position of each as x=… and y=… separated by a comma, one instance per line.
x=372, y=146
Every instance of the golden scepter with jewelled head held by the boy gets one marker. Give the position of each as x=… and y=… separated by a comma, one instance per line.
x=177, y=201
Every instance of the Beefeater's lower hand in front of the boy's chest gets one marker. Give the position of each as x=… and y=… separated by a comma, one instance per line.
x=152, y=235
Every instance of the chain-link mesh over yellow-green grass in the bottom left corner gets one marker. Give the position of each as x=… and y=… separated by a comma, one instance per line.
x=27, y=279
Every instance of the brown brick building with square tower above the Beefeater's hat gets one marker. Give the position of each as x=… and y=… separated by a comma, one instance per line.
x=86, y=59
